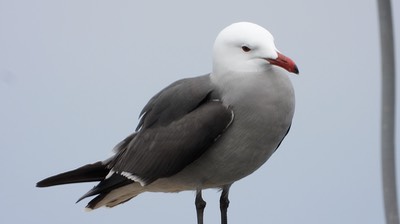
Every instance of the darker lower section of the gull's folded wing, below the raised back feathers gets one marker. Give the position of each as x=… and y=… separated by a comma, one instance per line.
x=164, y=151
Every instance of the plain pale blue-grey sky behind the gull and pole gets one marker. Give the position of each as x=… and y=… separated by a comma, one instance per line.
x=74, y=76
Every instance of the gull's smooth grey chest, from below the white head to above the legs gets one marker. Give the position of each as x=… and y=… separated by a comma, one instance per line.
x=262, y=119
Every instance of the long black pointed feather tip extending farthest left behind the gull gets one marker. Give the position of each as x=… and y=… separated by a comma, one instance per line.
x=88, y=173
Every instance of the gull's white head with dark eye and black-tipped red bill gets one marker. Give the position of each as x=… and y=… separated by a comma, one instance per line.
x=247, y=47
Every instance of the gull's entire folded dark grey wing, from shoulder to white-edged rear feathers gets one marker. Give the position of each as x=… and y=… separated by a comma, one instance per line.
x=177, y=126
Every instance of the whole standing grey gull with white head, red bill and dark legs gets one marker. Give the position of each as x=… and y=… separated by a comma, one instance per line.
x=202, y=132
